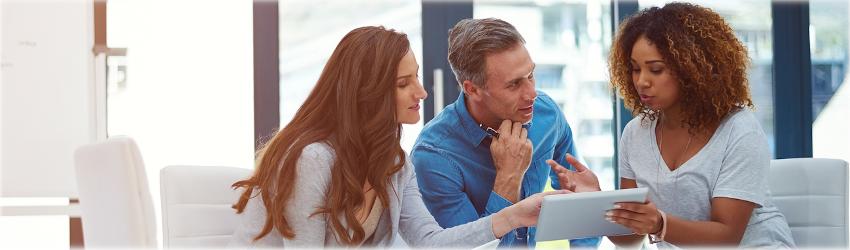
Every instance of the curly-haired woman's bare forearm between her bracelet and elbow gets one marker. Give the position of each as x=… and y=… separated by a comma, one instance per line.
x=701, y=233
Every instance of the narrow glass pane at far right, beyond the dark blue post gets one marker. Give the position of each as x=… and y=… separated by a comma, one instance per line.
x=828, y=34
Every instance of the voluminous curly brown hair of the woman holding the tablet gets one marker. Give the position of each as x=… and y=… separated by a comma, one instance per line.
x=700, y=49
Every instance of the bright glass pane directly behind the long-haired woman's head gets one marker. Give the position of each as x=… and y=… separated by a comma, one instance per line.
x=310, y=30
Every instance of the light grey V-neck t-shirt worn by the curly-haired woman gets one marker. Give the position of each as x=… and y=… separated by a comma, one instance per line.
x=734, y=164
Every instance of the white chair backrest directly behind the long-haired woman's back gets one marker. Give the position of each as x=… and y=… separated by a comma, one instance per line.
x=196, y=205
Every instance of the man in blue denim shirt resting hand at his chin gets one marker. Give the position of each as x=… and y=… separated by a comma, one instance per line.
x=487, y=150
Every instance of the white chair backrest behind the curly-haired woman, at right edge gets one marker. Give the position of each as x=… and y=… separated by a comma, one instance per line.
x=812, y=194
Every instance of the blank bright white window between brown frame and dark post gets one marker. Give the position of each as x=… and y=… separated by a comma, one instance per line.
x=185, y=90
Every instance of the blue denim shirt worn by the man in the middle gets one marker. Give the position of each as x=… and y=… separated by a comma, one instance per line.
x=455, y=170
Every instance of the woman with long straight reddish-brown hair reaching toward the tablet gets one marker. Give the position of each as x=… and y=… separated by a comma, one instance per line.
x=336, y=174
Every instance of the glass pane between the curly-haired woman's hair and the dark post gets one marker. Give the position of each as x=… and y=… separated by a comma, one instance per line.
x=752, y=22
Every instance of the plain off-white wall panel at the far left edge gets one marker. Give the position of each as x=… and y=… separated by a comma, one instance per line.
x=45, y=97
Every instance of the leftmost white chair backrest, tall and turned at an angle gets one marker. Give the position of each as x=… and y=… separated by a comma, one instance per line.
x=115, y=202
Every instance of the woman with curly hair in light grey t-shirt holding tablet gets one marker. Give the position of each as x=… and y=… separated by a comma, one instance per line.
x=694, y=142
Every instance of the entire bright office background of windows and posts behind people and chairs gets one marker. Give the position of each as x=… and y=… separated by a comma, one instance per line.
x=204, y=82
